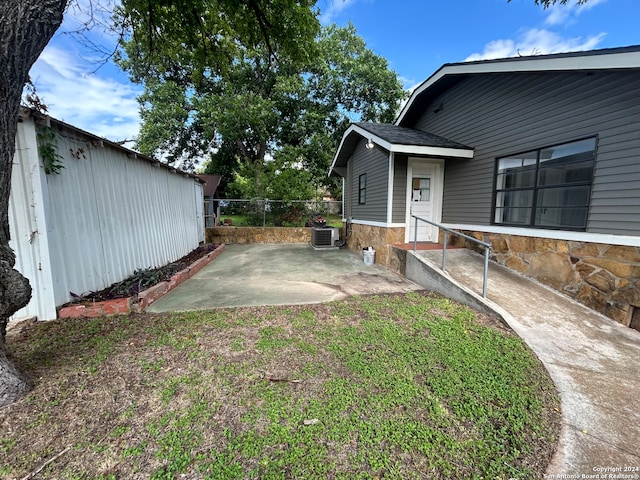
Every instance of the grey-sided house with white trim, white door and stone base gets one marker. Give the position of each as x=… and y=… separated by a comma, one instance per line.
x=539, y=155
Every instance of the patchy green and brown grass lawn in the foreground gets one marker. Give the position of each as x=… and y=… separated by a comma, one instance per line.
x=398, y=386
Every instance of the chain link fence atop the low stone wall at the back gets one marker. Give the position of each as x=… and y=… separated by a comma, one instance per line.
x=272, y=213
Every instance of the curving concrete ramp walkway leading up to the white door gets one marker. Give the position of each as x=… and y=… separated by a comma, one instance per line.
x=594, y=361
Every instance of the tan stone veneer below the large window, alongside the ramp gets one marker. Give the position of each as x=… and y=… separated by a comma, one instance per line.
x=603, y=277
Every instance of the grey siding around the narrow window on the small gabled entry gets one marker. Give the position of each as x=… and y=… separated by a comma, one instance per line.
x=375, y=164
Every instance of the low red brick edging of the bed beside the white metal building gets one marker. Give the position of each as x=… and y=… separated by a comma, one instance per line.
x=139, y=302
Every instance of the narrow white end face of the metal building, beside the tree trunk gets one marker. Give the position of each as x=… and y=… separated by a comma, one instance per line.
x=28, y=226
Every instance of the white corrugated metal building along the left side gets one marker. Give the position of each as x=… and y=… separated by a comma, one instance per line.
x=85, y=212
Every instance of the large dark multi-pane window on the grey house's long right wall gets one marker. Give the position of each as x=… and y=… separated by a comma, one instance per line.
x=547, y=188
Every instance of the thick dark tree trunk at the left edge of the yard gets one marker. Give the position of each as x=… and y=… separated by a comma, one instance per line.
x=26, y=26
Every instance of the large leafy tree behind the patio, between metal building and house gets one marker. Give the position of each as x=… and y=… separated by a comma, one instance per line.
x=259, y=109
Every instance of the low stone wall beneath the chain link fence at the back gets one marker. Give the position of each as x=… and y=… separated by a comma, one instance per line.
x=230, y=235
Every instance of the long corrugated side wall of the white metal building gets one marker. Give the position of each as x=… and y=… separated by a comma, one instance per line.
x=108, y=215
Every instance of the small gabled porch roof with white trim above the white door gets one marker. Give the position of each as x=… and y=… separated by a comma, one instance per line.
x=395, y=139
